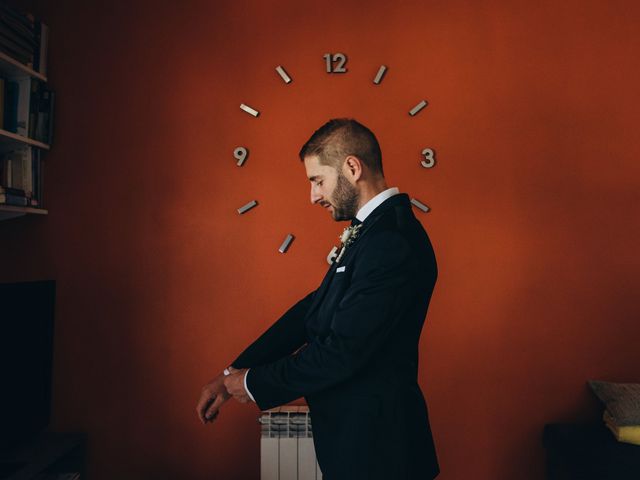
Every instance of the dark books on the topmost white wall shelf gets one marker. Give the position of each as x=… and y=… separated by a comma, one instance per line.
x=23, y=38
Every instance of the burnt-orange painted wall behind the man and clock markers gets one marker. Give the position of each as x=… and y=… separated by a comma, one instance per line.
x=534, y=108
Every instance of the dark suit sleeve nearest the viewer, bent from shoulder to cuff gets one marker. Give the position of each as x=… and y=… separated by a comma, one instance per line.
x=367, y=313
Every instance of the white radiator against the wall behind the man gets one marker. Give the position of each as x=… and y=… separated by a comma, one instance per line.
x=286, y=445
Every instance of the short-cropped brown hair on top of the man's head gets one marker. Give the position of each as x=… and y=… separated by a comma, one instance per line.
x=341, y=137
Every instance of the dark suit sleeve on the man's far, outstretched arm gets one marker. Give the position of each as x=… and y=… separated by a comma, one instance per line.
x=281, y=339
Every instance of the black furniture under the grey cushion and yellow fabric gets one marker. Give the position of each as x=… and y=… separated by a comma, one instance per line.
x=588, y=452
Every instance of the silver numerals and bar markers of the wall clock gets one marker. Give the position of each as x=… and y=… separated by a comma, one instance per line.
x=335, y=64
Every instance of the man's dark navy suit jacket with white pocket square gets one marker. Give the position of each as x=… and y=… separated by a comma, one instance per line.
x=351, y=349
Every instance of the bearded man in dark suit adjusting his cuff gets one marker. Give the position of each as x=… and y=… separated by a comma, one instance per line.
x=351, y=346
